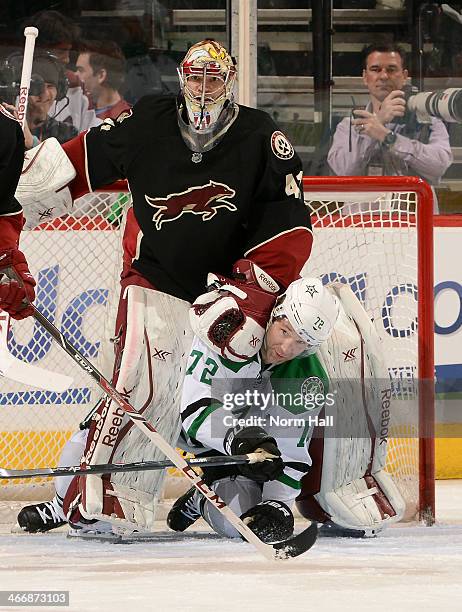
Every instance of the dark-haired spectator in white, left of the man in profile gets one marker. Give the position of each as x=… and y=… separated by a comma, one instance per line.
x=57, y=35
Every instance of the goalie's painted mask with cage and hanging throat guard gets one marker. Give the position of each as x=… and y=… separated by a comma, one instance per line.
x=207, y=75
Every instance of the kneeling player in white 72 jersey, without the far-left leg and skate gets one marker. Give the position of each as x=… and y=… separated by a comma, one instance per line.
x=268, y=404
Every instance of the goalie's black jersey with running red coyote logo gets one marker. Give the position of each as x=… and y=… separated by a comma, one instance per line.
x=199, y=213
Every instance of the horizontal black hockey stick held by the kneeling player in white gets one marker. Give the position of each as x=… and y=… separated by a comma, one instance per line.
x=139, y=466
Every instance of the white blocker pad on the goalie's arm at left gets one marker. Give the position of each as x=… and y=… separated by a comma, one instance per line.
x=42, y=190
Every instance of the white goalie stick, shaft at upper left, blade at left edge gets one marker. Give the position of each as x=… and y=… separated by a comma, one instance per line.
x=10, y=367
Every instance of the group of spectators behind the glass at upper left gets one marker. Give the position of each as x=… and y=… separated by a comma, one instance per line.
x=64, y=99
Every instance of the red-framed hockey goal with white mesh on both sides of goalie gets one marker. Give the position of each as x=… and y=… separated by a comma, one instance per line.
x=373, y=233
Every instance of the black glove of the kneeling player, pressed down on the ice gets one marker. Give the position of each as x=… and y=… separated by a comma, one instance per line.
x=271, y=521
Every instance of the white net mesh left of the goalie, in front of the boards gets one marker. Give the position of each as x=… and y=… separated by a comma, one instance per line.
x=76, y=262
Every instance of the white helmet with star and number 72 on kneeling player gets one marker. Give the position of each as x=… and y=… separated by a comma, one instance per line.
x=310, y=308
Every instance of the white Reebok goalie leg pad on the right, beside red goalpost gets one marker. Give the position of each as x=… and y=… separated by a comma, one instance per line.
x=355, y=491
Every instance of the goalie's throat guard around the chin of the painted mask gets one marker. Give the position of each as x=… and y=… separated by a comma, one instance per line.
x=201, y=141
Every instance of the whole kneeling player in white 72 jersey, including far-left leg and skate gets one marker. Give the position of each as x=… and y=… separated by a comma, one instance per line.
x=302, y=318
